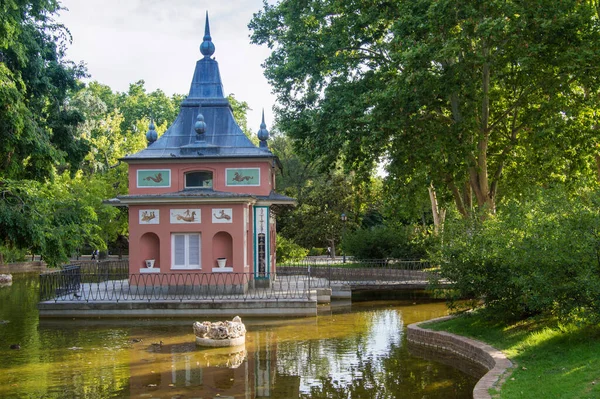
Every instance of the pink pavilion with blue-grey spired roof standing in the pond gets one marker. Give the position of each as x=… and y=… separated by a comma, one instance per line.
x=201, y=196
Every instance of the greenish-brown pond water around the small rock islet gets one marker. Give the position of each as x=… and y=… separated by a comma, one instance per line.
x=353, y=350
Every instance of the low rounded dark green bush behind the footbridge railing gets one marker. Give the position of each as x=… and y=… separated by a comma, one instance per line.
x=384, y=242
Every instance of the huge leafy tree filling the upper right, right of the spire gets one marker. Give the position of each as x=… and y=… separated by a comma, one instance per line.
x=465, y=97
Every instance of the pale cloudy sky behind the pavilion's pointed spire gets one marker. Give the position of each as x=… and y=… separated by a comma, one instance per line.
x=123, y=41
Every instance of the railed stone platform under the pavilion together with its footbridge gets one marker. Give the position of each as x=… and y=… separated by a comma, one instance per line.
x=107, y=289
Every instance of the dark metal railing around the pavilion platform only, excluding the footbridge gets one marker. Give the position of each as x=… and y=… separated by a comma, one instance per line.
x=175, y=287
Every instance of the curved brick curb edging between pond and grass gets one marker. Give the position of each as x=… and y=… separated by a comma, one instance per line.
x=489, y=357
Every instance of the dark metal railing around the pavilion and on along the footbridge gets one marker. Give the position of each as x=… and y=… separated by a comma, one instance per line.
x=111, y=281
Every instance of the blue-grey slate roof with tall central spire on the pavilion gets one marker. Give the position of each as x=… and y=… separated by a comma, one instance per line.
x=223, y=137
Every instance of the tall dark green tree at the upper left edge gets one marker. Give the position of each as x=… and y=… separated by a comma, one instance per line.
x=35, y=129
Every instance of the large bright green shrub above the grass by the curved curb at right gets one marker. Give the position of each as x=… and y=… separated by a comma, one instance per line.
x=539, y=254
